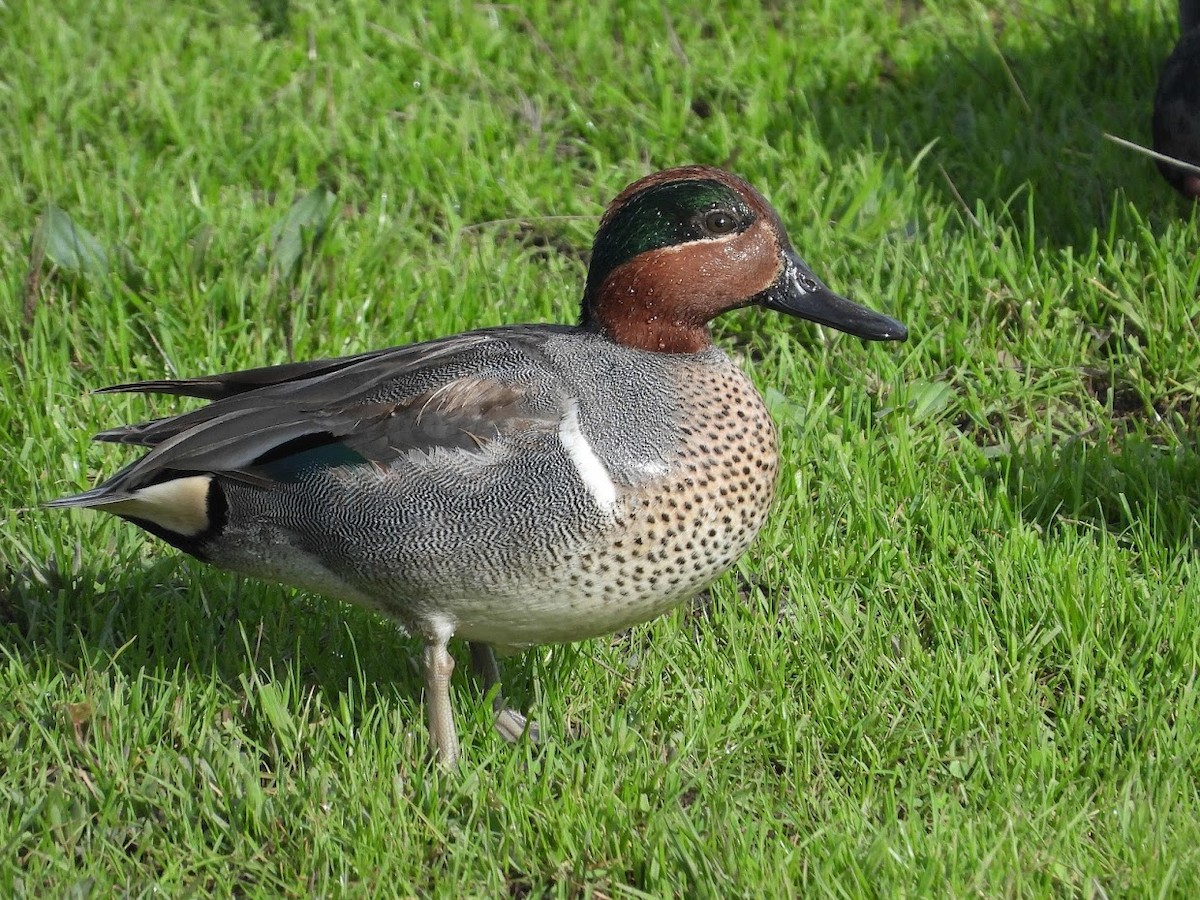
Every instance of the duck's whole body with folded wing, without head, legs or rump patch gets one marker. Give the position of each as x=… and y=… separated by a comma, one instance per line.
x=464, y=506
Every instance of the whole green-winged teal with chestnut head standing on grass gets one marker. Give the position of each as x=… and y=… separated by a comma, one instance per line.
x=515, y=485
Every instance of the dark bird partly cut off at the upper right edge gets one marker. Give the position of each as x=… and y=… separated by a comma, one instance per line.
x=1177, y=123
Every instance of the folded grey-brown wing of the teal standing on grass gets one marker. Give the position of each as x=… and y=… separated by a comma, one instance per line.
x=267, y=425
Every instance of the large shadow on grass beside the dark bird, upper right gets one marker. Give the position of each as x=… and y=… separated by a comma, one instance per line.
x=1006, y=115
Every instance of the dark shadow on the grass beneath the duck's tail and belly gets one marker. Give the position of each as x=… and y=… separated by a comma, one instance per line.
x=175, y=614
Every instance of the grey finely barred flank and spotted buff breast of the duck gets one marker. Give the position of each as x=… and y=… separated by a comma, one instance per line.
x=502, y=537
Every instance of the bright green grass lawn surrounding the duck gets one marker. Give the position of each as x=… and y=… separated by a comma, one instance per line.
x=962, y=659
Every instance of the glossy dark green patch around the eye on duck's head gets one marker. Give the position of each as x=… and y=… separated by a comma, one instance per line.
x=659, y=217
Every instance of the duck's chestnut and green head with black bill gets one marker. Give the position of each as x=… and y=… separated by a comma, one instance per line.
x=680, y=248
